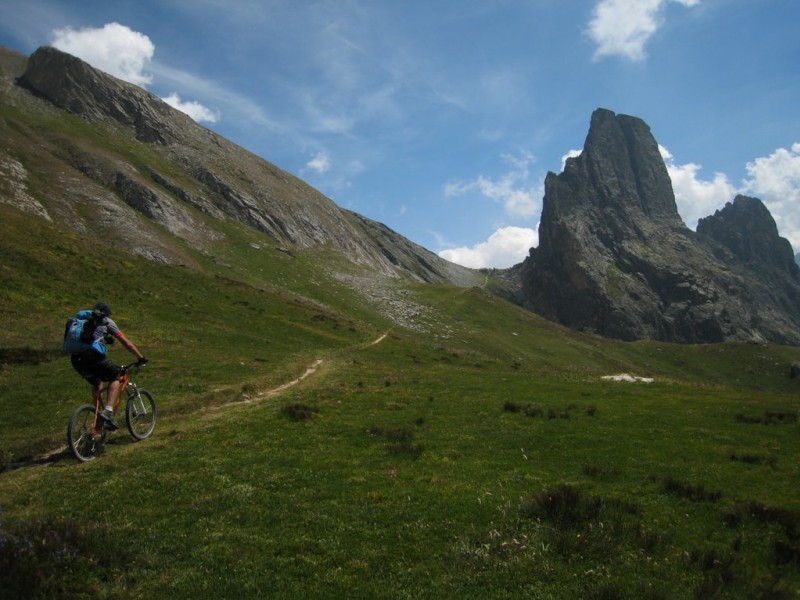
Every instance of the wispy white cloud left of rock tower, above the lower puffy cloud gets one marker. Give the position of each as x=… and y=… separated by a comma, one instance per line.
x=511, y=189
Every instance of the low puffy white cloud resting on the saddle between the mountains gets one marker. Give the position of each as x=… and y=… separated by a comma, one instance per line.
x=505, y=247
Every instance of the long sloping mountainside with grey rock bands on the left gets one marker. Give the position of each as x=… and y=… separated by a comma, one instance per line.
x=147, y=163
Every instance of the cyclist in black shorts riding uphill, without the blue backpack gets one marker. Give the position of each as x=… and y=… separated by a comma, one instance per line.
x=96, y=367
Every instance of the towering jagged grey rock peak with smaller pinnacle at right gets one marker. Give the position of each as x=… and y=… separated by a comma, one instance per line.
x=615, y=257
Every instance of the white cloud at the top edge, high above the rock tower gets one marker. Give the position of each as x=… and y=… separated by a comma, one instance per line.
x=623, y=27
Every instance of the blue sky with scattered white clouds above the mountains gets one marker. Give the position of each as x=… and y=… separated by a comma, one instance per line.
x=441, y=118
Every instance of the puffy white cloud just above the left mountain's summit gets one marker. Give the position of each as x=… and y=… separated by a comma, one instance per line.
x=113, y=48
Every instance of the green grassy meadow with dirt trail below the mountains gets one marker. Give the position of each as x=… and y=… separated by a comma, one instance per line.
x=476, y=454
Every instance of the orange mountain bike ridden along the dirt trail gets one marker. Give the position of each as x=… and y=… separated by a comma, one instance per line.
x=87, y=430
